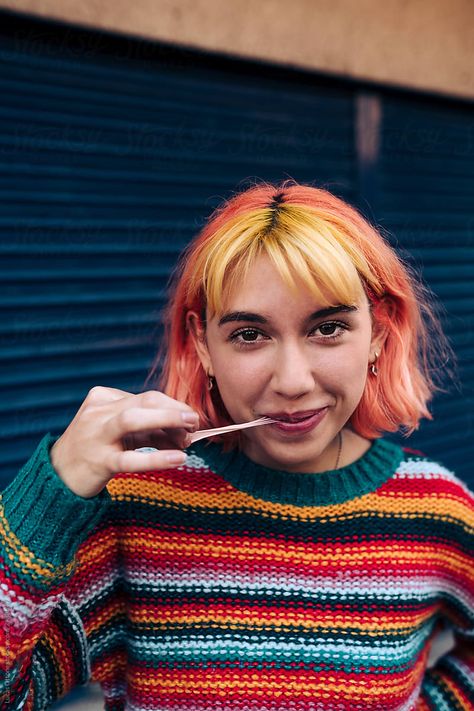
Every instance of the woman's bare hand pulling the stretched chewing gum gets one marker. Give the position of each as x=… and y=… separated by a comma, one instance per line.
x=101, y=439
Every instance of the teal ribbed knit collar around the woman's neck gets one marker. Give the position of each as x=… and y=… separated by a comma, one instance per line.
x=326, y=488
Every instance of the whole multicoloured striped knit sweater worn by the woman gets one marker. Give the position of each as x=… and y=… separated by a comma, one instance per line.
x=221, y=585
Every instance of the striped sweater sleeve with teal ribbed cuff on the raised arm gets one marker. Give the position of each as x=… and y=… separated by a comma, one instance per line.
x=43, y=642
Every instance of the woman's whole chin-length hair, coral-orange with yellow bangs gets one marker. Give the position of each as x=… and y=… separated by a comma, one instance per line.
x=328, y=244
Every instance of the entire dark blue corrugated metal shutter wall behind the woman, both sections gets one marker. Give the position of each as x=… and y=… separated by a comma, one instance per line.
x=114, y=151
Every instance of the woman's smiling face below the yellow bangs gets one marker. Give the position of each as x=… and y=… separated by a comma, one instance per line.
x=271, y=354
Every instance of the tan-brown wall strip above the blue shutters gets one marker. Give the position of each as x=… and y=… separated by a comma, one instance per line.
x=424, y=44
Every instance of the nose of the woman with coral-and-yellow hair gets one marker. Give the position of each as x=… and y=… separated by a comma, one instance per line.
x=293, y=372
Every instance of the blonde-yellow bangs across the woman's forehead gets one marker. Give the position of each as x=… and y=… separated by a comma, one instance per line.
x=303, y=249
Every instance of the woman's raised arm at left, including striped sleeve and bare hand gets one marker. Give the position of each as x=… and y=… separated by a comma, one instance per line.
x=56, y=543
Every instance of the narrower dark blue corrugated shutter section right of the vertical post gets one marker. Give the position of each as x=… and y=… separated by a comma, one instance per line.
x=425, y=176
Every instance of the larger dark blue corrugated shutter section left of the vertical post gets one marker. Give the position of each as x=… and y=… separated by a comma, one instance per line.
x=112, y=154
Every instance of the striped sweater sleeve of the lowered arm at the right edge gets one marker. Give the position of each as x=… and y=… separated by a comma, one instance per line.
x=449, y=684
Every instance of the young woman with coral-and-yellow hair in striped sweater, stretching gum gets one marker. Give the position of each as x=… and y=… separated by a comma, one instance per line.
x=304, y=564
